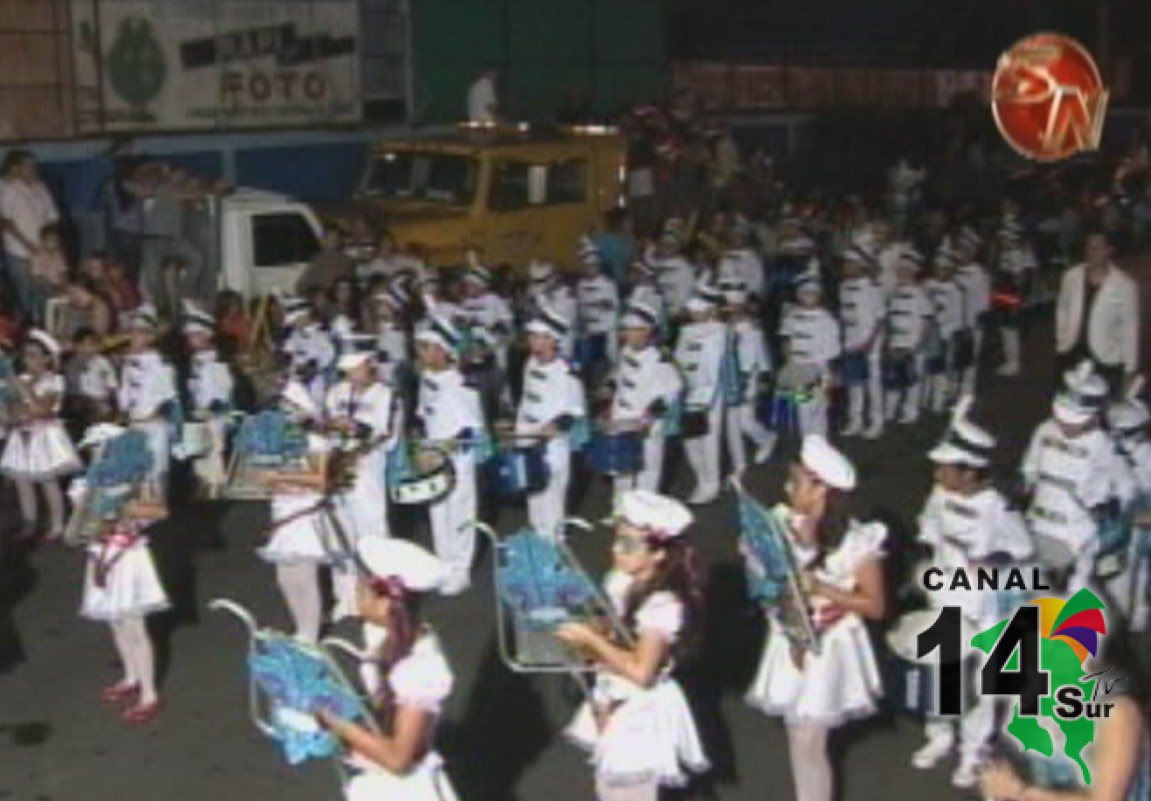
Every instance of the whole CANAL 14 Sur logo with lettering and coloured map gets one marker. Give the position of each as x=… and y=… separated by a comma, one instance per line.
x=1038, y=655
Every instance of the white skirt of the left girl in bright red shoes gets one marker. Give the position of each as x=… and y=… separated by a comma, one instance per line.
x=132, y=588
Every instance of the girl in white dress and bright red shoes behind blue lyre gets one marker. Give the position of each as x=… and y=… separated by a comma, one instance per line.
x=123, y=589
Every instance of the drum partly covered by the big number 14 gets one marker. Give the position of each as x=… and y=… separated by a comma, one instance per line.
x=914, y=682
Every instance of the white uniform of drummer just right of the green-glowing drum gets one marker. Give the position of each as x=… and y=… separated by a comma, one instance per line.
x=863, y=310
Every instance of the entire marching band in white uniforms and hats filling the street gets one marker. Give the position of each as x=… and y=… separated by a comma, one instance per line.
x=413, y=405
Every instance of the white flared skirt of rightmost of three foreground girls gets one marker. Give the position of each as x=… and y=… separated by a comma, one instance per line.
x=842, y=684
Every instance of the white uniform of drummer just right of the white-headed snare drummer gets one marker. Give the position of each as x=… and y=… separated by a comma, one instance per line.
x=552, y=392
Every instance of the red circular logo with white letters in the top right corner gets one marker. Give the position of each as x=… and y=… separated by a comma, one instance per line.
x=1048, y=98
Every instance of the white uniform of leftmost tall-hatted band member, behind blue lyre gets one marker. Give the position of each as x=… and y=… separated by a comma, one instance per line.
x=148, y=390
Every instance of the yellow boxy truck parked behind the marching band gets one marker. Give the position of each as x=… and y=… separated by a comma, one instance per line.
x=510, y=193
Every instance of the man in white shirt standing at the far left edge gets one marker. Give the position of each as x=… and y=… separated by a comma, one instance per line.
x=26, y=209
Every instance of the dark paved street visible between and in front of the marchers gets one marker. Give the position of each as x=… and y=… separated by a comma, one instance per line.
x=501, y=734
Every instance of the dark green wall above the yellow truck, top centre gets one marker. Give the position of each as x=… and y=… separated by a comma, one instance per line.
x=615, y=50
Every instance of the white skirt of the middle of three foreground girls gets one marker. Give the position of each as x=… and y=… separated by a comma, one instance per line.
x=650, y=737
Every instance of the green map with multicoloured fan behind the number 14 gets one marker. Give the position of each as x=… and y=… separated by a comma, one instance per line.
x=1040, y=657
